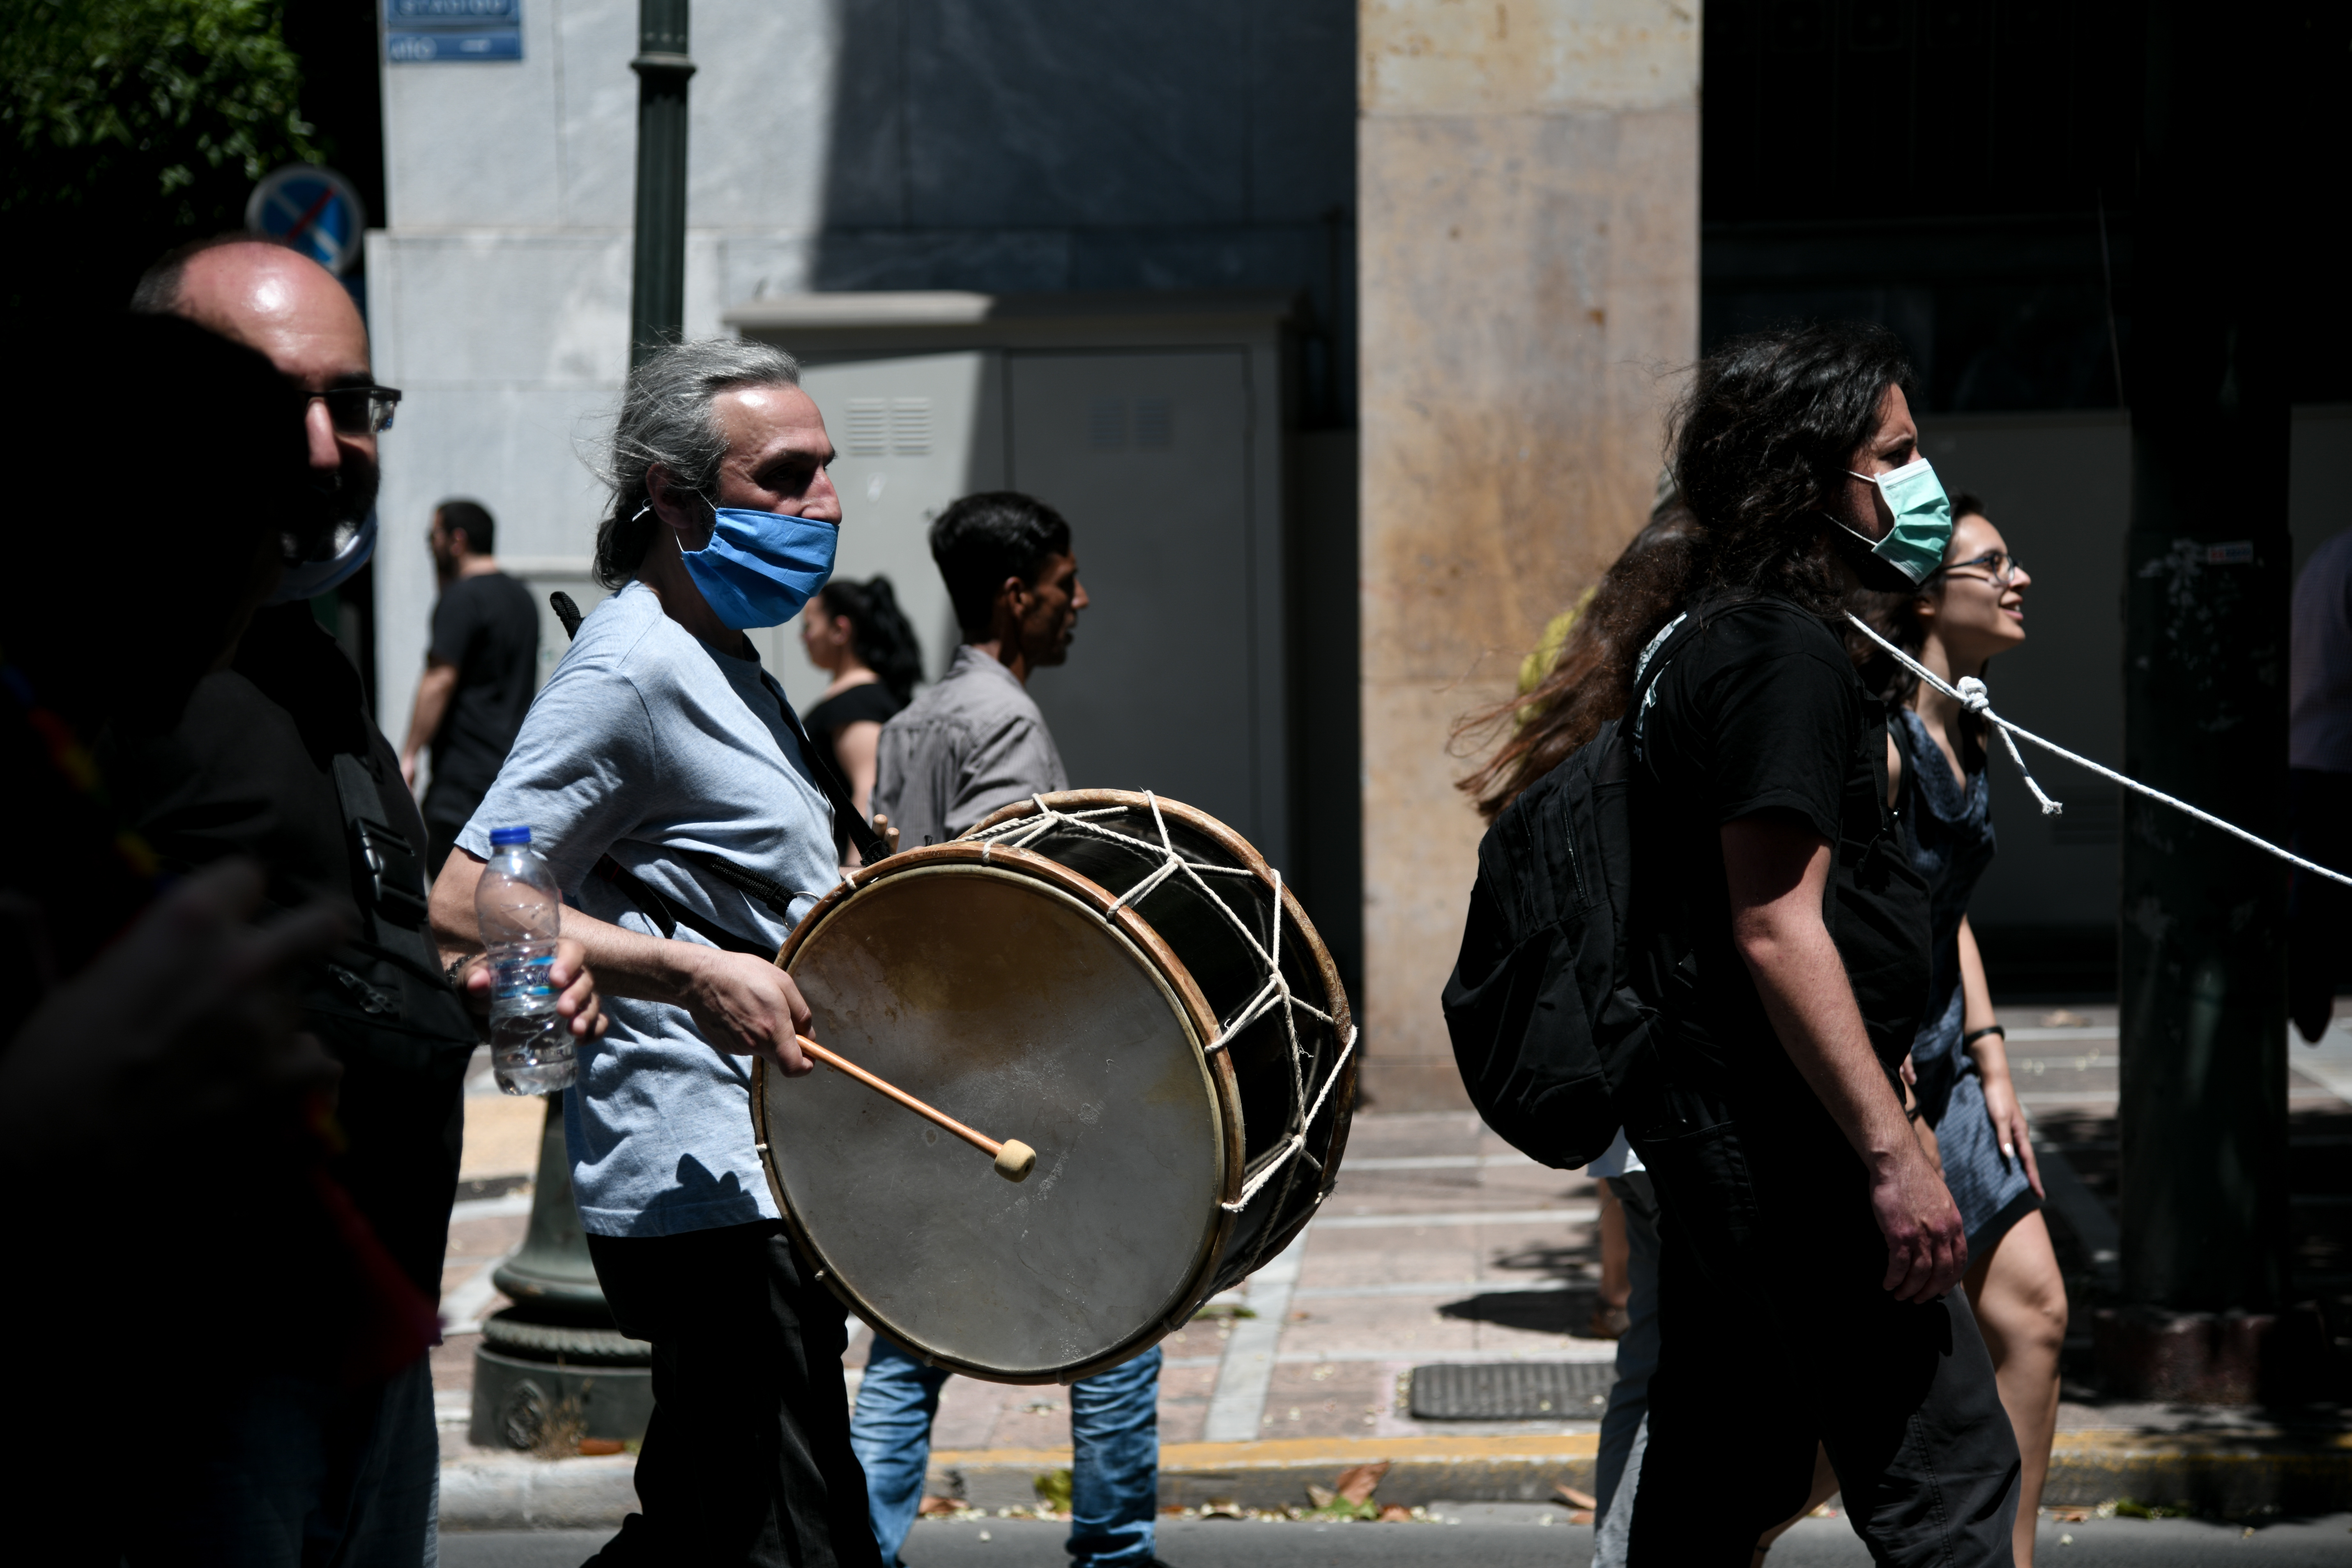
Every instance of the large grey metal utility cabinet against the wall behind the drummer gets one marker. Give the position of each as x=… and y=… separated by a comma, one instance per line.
x=1158, y=427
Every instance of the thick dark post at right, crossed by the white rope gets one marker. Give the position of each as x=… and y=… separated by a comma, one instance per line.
x=2207, y=568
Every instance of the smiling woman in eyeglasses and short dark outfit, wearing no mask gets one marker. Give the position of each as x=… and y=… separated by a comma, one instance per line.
x=1967, y=612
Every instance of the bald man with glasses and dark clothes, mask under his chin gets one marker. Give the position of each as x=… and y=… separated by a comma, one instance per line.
x=279, y=760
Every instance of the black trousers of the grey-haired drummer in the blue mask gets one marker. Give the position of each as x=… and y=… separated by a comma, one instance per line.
x=749, y=1452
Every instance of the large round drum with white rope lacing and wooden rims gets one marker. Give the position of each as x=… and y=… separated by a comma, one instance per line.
x=1125, y=986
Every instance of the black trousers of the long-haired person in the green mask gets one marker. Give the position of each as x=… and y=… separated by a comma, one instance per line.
x=1777, y=1334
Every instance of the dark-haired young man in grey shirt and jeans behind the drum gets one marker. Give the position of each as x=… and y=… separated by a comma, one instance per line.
x=963, y=749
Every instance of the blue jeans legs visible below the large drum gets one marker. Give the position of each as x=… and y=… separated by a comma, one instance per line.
x=1114, y=1430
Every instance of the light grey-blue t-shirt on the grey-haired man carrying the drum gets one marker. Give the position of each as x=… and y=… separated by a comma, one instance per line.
x=648, y=742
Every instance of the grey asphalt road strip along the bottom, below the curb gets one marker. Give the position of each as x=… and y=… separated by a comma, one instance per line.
x=1490, y=1536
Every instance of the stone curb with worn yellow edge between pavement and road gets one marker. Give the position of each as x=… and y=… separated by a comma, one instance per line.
x=2217, y=1473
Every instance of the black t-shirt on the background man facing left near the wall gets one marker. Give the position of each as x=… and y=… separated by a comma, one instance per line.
x=488, y=626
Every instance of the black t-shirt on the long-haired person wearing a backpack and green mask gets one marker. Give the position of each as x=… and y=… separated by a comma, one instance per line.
x=1760, y=711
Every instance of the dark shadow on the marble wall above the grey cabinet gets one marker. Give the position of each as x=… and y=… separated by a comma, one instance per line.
x=1203, y=145
